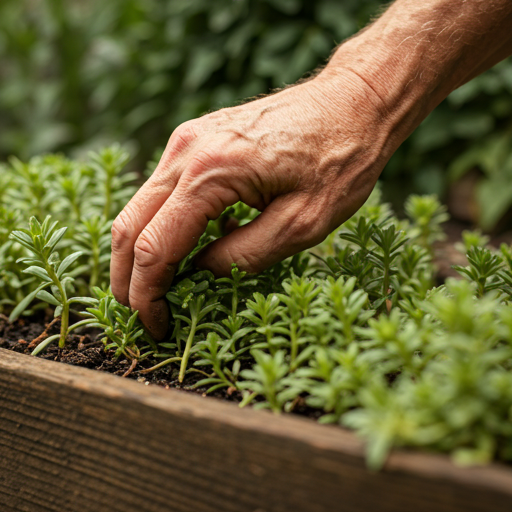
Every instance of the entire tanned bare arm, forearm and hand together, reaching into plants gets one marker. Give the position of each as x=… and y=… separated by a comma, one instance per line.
x=307, y=157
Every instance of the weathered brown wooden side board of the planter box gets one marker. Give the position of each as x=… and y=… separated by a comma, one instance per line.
x=74, y=440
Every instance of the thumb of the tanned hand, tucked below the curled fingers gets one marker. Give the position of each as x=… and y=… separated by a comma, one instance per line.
x=285, y=228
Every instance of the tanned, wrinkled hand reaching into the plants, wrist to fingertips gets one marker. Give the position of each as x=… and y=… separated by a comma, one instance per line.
x=306, y=157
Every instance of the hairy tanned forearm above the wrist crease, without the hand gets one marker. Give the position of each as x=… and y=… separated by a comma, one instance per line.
x=416, y=53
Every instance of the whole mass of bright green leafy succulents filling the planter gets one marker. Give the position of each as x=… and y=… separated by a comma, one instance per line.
x=354, y=329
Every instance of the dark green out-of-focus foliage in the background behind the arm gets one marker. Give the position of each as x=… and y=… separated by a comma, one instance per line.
x=78, y=74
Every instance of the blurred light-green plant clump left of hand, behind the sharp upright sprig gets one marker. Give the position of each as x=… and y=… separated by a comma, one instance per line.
x=71, y=192
